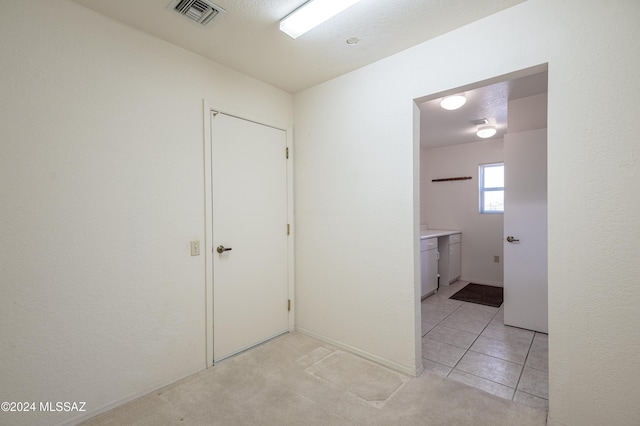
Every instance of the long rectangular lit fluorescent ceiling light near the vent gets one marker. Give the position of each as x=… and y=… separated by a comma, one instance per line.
x=311, y=14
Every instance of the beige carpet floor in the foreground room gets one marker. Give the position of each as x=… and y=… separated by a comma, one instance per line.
x=297, y=380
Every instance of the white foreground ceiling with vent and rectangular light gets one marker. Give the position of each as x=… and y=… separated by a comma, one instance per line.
x=247, y=38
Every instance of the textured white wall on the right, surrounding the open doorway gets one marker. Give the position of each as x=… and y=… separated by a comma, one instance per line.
x=356, y=182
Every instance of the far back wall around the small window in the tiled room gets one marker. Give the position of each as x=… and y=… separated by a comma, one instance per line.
x=454, y=205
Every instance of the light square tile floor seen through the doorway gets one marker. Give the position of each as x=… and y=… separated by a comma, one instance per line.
x=469, y=343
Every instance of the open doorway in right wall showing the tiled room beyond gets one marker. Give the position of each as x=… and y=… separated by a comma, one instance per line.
x=458, y=338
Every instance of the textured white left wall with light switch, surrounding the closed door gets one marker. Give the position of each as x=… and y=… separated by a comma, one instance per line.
x=102, y=187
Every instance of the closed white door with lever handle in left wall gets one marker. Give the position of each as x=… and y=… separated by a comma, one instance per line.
x=250, y=290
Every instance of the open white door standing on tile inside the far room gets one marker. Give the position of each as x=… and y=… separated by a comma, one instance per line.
x=525, y=219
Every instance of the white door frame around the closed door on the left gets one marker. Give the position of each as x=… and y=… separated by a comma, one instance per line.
x=207, y=109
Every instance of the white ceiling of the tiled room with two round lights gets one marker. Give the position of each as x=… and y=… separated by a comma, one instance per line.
x=439, y=127
